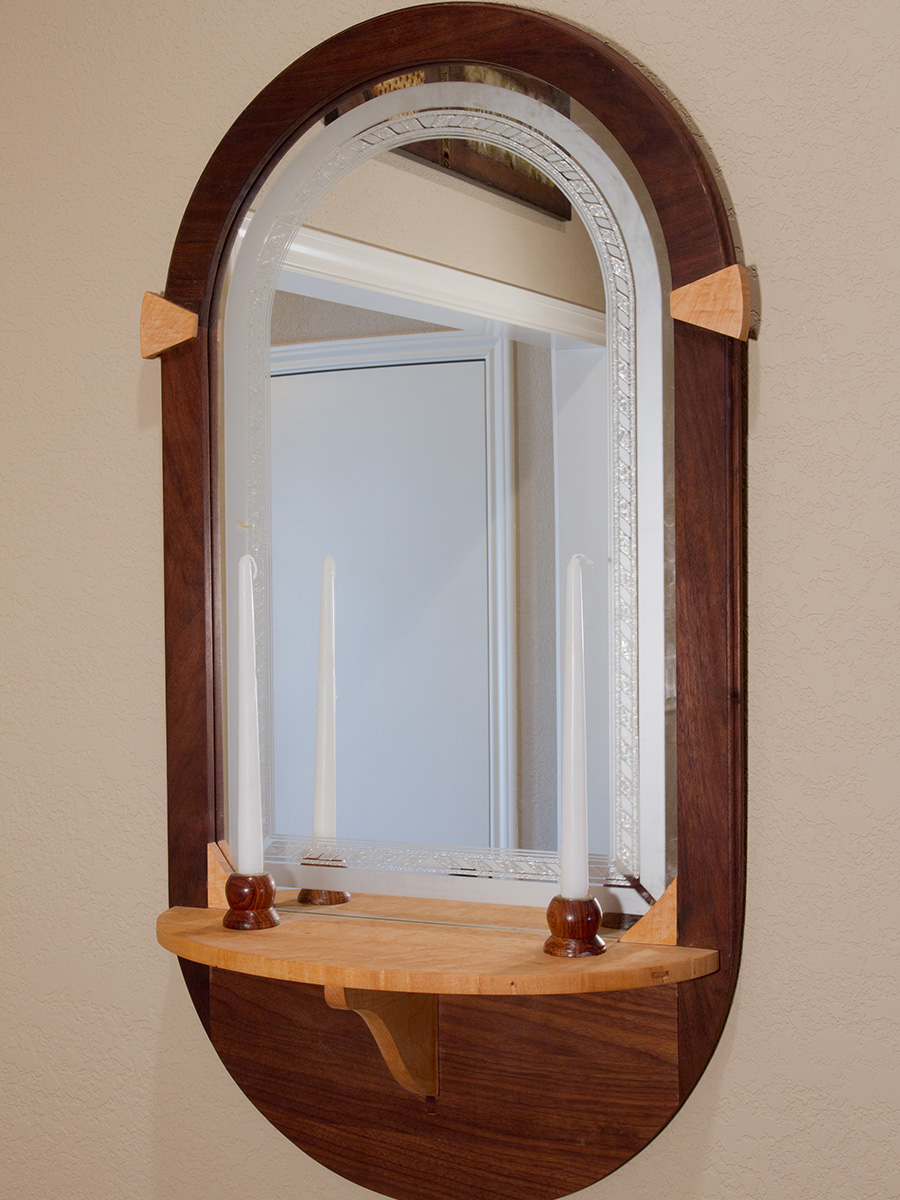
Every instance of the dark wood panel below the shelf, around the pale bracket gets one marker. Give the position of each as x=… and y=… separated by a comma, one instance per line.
x=539, y=1096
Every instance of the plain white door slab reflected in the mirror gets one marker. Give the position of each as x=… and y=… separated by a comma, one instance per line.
x=385, y=469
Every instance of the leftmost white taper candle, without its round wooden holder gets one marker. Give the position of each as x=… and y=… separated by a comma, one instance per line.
x=250, y=797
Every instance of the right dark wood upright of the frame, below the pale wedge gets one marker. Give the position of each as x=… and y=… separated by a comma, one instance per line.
x=710, y=631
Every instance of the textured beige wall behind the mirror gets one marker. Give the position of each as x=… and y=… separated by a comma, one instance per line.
x=110, y=113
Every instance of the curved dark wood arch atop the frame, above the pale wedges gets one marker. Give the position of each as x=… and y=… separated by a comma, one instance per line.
x=645, y=123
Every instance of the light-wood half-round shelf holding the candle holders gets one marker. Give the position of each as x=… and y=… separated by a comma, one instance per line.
x=422, y=958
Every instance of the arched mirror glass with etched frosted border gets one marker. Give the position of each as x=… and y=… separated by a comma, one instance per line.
x=445, y=369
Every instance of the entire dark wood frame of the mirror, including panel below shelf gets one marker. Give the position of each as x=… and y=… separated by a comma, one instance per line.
x=539, y=1096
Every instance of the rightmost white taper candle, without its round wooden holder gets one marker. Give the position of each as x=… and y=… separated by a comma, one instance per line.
x=574, y=796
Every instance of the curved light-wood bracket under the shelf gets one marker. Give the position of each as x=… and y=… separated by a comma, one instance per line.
x=405, y=1027
